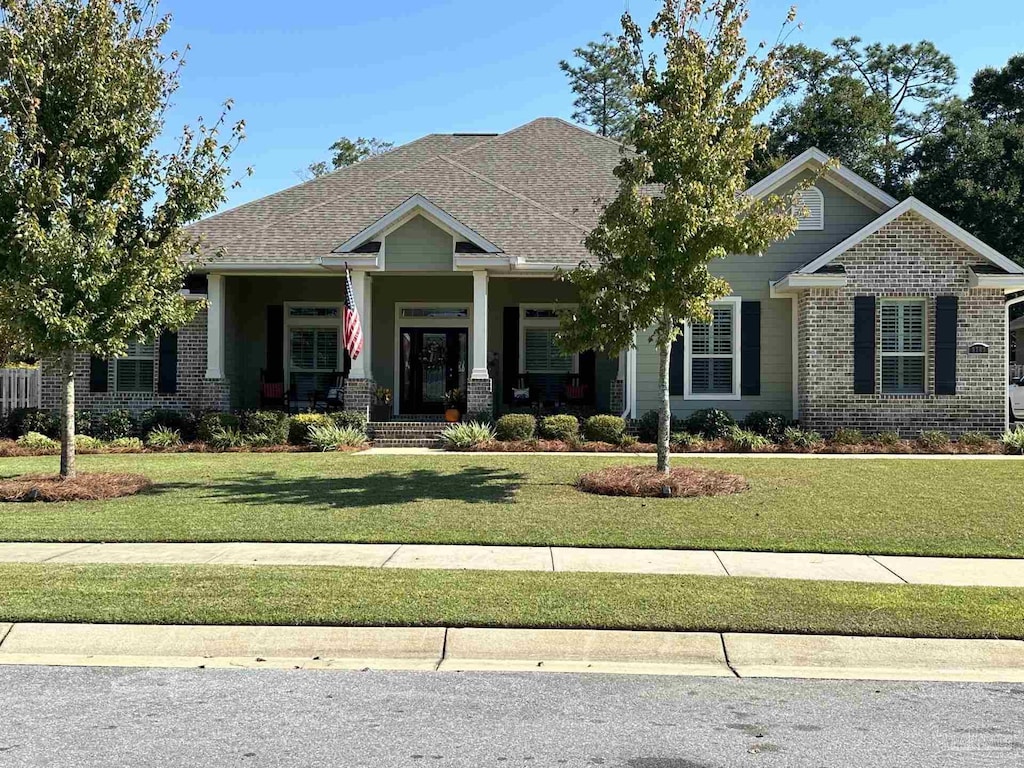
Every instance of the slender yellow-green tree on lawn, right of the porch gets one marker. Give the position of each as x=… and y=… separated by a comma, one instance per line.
x=680, y=203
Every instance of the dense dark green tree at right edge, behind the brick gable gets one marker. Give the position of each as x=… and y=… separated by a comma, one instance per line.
x=973, y=170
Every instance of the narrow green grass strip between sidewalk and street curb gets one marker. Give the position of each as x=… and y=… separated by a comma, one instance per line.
x=208, y=594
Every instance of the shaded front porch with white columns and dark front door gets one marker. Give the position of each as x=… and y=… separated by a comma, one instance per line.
x=491, y=338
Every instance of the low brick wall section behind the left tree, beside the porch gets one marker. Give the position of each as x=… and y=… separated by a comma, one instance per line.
x=196, y=393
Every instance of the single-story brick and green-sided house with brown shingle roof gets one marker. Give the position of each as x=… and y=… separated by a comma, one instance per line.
x=877, y=314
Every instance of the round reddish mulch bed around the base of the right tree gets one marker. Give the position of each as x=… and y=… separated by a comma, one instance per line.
x=648, y=482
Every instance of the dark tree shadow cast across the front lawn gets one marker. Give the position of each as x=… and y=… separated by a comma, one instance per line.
x=474, y=486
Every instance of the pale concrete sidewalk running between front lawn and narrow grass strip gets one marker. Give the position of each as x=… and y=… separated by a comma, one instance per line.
x=818, y=567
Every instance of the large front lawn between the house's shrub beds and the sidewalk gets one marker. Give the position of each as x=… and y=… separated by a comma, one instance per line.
x=832, y=505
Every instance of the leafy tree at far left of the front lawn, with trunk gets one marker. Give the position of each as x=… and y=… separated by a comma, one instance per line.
x=93, y=251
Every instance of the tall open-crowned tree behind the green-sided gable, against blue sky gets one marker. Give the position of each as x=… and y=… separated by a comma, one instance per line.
x=869, y=105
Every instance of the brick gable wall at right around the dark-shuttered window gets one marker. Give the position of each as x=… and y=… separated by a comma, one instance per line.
x=908, y=259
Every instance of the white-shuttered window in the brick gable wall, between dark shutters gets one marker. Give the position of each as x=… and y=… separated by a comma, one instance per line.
x=904, y=348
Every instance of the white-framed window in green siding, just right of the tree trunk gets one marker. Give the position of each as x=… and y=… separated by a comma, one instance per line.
x=713, y=355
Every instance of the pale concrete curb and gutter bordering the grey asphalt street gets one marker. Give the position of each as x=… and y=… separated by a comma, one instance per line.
x=704, y=654
